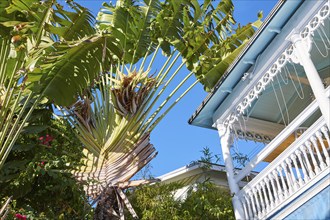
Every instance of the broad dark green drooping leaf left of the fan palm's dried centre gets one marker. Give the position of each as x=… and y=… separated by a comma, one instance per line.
x=65, y=73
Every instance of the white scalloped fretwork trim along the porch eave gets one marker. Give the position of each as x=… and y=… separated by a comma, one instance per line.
x=288, y=55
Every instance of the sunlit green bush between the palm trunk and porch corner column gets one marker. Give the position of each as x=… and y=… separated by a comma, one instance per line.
x=204, y=201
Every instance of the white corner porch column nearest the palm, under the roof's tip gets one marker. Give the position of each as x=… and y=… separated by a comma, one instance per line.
x=226, y=140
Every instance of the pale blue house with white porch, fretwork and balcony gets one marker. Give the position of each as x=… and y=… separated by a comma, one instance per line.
x=277, y=92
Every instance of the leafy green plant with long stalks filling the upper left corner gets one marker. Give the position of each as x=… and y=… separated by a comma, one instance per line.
x=44, y=52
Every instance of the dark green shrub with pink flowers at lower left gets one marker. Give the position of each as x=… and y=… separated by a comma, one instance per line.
x=36, y=172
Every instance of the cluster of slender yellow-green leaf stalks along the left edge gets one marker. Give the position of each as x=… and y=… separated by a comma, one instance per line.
x=14, y=100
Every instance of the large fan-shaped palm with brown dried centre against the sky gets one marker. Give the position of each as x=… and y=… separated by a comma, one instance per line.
x=114, y=118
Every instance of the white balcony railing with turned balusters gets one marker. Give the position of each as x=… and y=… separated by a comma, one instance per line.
x=292, y=170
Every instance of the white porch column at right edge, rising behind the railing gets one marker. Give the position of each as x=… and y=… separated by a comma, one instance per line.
x=303, y=55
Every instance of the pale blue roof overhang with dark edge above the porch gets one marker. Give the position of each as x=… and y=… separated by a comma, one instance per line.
x=272, y=25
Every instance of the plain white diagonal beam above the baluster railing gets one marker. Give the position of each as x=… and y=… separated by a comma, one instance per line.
x=279, y=139
